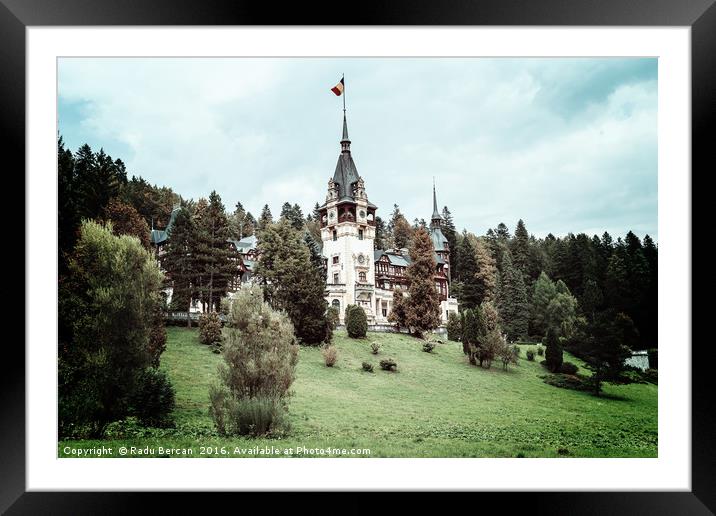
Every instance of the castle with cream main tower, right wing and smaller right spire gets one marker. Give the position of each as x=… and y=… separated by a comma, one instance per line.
x=356, y=272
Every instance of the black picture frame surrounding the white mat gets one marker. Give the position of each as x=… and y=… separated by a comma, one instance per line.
x=700, y=15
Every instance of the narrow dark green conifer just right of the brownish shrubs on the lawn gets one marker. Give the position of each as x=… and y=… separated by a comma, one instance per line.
x=513, y=305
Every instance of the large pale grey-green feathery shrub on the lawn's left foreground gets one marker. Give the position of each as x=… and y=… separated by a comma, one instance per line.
x=260, y=356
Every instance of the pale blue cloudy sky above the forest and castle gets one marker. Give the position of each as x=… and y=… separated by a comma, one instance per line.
x=565, y=144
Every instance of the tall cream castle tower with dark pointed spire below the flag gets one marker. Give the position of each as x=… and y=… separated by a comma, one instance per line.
x=348, y=230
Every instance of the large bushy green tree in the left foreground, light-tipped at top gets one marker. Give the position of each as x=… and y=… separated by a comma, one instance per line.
x=108, y=304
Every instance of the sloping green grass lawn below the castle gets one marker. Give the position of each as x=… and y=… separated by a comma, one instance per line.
x=435, y=405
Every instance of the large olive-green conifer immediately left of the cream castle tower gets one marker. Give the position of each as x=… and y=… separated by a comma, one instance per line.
x=293, y=282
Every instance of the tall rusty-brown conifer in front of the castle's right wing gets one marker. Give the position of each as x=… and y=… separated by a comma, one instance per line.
x=423, y=303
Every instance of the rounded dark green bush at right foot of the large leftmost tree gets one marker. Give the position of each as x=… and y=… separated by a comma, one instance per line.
x=153, y=401
